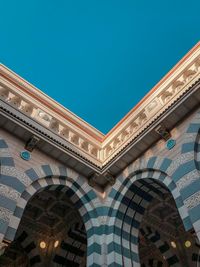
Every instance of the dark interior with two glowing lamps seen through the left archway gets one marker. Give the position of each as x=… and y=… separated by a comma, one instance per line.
x=51, y=233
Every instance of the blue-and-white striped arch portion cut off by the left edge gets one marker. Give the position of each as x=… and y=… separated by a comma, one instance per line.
x=7, y=166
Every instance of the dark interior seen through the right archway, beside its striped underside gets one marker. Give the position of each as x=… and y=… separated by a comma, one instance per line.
x=163, y=241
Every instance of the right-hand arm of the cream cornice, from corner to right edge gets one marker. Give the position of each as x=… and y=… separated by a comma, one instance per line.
x=159, y=101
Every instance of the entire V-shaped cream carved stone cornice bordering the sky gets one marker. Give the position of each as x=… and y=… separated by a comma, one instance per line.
x=84, y=139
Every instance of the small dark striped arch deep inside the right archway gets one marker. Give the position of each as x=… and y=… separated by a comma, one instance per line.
x=163, y=246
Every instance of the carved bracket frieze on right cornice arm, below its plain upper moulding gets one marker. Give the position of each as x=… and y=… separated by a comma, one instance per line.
x=162, y=99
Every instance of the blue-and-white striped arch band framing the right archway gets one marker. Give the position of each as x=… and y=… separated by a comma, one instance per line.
x=157, y=168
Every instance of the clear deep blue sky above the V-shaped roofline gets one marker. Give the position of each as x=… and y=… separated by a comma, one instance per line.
x=98, y=58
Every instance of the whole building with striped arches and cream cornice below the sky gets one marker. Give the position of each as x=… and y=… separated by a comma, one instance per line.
x=71, y=196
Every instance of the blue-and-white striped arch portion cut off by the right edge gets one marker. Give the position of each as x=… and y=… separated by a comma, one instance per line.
x=188, y=174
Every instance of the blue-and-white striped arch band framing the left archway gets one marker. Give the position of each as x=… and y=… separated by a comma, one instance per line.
x=36, y=179
